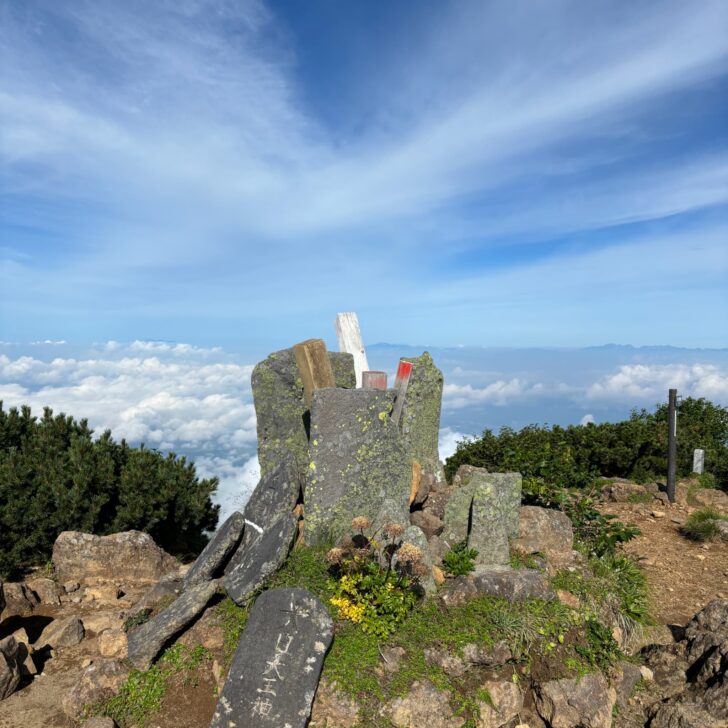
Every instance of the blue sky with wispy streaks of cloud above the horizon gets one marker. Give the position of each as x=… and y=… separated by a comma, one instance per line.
x=480, y=173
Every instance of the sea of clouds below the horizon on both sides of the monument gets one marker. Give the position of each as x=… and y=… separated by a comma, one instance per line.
x=197, y=401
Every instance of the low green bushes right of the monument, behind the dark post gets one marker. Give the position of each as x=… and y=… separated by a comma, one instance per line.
x=635, y=448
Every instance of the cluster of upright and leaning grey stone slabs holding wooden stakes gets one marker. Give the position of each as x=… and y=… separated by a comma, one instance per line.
x=329, y=451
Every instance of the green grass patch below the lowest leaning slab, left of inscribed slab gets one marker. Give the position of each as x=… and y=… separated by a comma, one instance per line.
x=142, y=695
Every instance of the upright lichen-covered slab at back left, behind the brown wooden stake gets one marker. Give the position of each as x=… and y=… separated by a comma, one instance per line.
x=281, y=410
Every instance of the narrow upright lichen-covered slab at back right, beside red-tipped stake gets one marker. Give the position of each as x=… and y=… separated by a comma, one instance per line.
x=420, y=422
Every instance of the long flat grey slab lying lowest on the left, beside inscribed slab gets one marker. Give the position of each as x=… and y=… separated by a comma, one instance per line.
x=146, y=641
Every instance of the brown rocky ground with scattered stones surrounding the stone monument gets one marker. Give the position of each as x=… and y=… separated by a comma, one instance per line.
x=68, y=635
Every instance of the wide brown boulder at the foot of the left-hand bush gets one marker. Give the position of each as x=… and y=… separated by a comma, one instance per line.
x=131, y=555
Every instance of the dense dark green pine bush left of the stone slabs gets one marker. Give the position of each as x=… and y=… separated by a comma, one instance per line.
x=55, y=477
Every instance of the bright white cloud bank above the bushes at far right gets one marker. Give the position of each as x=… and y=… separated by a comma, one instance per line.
x=650, y=382
